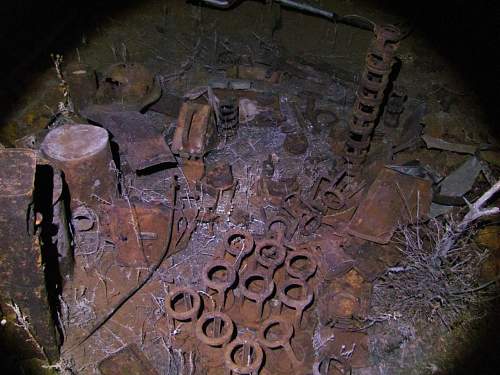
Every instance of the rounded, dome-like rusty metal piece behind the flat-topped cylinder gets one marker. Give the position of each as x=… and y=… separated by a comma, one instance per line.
x=129, y=84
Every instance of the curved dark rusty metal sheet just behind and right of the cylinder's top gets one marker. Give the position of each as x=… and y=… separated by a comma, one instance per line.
x=137, y=137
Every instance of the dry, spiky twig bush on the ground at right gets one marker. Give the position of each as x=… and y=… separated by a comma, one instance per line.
x=430, y=287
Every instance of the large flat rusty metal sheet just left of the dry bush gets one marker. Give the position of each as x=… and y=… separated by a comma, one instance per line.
x=391, y=200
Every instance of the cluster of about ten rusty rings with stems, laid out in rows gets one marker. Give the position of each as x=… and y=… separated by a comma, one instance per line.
x=243, y=353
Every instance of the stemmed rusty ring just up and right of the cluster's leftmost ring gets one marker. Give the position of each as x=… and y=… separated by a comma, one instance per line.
x=220, y=276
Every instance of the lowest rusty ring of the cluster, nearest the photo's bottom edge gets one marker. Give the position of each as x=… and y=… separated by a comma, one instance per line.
x=244, y=355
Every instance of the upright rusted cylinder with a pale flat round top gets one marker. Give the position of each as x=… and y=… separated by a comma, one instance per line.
x=83, y=153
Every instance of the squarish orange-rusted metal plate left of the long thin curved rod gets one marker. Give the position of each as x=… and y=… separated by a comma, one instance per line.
x=138, y=232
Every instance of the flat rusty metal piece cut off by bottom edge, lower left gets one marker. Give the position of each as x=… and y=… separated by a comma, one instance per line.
x=129, y=360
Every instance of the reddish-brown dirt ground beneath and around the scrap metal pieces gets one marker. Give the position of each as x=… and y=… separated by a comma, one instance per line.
x=187, y=47
